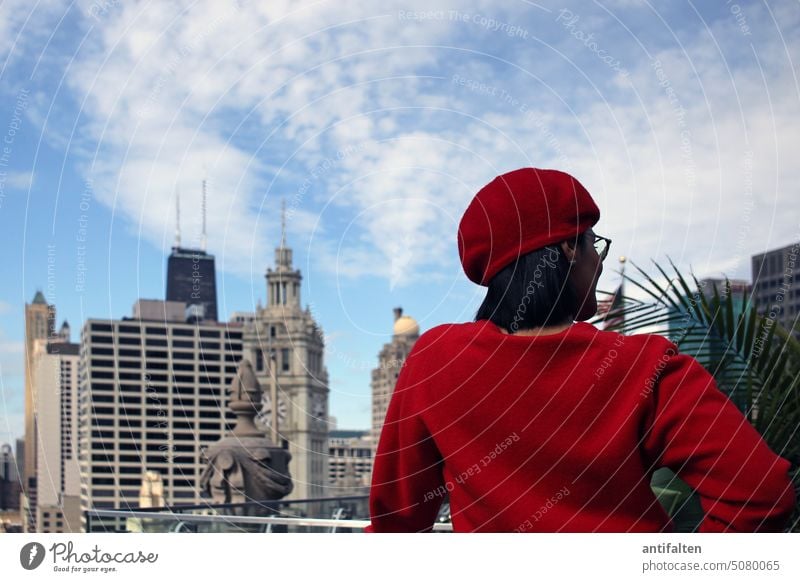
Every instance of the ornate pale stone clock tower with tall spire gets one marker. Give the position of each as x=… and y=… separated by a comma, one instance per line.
x=286, y=347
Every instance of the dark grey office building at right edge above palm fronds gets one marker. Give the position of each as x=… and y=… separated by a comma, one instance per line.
x=776, y=285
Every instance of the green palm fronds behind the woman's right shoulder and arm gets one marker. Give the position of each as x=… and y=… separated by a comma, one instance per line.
x=752, y=358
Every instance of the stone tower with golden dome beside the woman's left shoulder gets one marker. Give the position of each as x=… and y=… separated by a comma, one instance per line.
x=390, y=359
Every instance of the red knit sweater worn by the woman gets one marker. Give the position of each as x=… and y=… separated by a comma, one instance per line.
x=562, y=433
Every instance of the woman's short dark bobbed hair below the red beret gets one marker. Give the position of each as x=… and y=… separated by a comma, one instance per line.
x=533, y=291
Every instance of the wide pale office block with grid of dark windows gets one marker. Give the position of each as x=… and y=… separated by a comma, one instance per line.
x=152, y=398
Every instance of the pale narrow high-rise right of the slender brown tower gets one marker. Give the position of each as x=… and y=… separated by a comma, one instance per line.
x=57, y=471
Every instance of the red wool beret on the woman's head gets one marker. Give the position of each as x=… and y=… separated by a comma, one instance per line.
x=517, y=213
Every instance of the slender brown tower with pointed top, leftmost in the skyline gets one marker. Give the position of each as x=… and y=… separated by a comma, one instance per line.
x=39, y=326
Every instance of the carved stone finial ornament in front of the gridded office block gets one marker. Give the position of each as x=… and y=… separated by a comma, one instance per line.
x=247, y=465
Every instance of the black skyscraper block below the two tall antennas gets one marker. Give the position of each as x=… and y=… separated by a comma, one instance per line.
x=191, y=278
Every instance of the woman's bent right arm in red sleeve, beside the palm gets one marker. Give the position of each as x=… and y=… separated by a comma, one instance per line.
x=695, y=430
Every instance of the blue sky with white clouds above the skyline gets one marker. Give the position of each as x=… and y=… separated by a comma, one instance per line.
x=377, y=122
